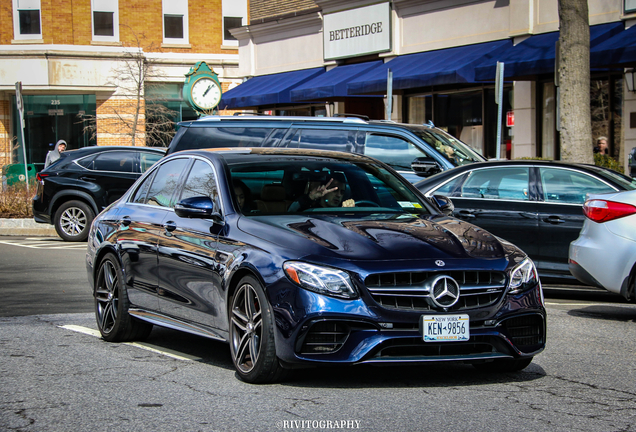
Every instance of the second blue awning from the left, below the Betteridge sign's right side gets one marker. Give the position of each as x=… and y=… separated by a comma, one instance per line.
x=332, y=83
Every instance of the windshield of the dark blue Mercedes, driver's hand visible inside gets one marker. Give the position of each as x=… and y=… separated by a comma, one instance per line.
x=321, y=186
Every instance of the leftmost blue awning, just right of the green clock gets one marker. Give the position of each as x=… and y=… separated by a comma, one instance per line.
x=267, y=89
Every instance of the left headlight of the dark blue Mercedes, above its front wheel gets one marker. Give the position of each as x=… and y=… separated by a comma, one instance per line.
x=322, y=280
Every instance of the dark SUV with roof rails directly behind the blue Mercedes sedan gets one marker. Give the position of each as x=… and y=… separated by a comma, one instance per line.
x=415, y=151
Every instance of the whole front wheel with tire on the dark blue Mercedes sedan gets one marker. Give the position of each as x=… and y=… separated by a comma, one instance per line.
x=252, y=334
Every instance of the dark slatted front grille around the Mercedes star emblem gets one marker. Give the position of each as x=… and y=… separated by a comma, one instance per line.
x=407, y=291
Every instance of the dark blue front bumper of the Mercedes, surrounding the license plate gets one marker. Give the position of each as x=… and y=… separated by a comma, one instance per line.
x=513, y=328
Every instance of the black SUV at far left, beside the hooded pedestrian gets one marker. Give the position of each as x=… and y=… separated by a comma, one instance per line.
x=83, y=182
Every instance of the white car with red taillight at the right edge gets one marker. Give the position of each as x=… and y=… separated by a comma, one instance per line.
x=604, y=255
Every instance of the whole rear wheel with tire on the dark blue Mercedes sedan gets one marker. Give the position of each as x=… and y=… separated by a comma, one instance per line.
x=111, y=305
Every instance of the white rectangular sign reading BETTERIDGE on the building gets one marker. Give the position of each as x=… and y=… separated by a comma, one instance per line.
x=357, y=32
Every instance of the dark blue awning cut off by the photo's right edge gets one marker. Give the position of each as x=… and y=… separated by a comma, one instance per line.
x=618, y=51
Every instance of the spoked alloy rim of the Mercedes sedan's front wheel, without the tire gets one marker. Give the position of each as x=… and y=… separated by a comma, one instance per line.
x=246, y=328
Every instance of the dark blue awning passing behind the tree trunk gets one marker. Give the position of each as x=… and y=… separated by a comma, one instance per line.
x=535, y=55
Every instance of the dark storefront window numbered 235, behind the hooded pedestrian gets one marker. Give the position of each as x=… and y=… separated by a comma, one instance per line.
x=49, y=118
